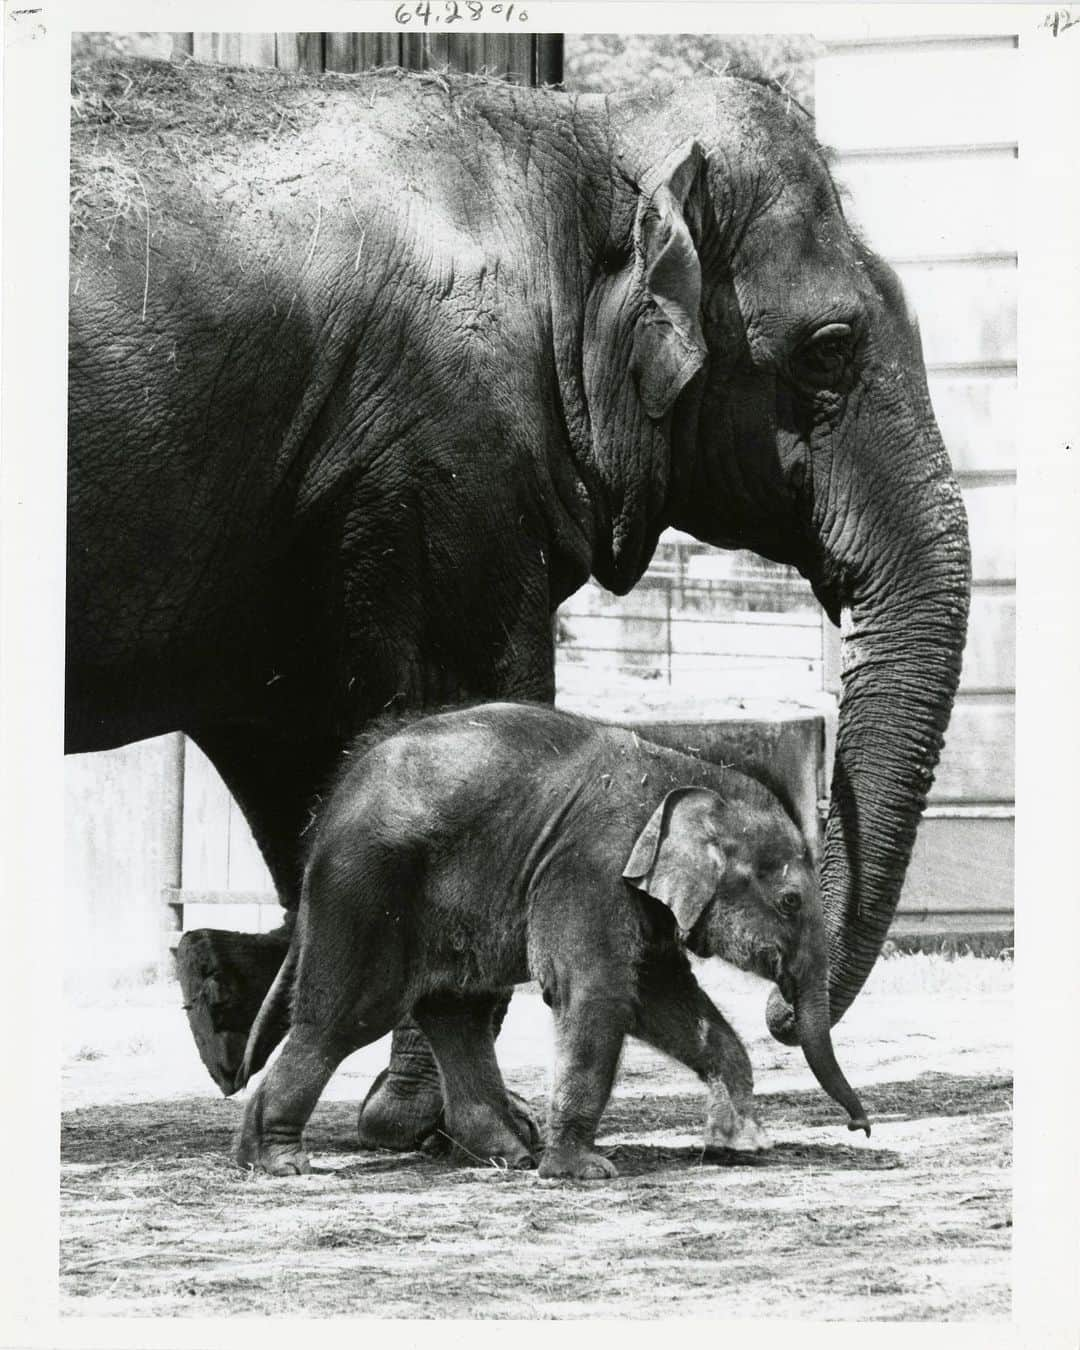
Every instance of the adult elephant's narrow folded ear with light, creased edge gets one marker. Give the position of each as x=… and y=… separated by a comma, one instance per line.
x=669, y=345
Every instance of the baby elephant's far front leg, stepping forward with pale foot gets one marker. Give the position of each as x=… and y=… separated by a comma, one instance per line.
x=678, y=1017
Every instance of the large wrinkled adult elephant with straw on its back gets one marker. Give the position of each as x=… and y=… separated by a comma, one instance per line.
x=369, y=373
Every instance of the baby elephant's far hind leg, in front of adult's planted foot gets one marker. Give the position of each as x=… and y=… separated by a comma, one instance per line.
x=480, y=1121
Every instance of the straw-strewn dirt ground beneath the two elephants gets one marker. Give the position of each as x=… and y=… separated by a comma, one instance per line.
x=913, y=1224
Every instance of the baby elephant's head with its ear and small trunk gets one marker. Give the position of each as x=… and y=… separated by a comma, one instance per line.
x=739, y=880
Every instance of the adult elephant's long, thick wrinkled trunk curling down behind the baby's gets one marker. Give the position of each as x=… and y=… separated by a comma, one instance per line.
x=902, y=645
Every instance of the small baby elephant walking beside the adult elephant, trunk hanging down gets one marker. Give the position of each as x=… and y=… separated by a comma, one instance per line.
x=475, y=850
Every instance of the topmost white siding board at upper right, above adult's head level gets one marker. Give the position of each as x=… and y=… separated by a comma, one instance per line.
x=925, y=98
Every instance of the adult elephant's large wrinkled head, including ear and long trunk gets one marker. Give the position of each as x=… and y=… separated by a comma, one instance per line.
x=754, y=377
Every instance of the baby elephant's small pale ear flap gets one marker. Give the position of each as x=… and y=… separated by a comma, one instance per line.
x=677, y=859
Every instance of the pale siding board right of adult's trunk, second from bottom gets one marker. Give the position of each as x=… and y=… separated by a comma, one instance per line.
x=978, y=763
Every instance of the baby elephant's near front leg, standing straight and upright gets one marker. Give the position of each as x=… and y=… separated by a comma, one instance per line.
x=591, y=1025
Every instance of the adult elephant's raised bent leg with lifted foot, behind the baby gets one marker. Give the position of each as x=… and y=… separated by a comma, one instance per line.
x=225, y=975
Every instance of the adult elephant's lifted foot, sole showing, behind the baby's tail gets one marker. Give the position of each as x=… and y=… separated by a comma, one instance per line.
x=225, y=978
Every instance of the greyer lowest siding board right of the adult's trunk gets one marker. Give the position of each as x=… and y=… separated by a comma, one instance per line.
x=961, y=866
